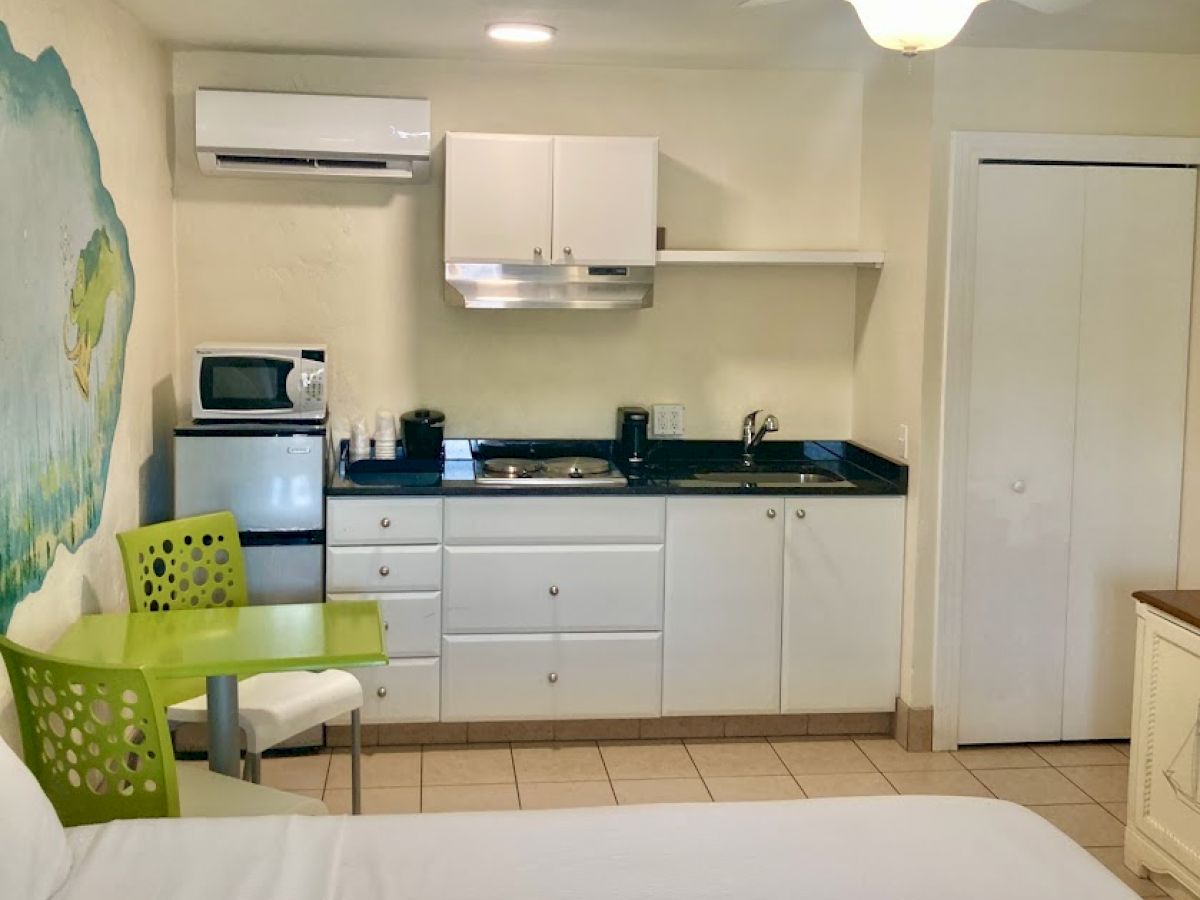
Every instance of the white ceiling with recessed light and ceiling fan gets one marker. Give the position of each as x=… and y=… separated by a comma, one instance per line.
x=689, y=33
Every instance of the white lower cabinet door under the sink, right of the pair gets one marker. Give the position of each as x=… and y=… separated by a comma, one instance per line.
x=843, y=598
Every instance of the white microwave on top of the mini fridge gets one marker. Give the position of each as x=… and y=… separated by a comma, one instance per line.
x=242, y=382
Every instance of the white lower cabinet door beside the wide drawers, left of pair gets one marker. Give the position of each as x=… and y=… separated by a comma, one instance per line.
x=724, y=590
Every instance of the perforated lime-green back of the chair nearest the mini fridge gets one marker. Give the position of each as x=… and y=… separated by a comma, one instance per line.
x=185, y=565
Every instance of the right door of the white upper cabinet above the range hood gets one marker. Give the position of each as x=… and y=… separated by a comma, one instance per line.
x=605, y=201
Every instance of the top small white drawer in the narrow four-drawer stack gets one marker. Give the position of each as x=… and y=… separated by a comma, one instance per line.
x=383, y=520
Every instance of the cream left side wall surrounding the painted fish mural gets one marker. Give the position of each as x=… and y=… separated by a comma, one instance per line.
x=123, y=79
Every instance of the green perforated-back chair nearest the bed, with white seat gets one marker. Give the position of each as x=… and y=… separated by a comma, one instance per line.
x=95, y=740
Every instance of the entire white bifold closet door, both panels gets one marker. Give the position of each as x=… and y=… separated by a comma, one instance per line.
x=1076, y=441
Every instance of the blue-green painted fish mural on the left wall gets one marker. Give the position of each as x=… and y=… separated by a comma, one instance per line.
x=67, y=303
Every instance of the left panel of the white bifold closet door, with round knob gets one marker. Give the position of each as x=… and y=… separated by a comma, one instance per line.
x=1021, y=452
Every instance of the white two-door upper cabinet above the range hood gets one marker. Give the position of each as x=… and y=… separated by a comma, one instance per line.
x=533, y=200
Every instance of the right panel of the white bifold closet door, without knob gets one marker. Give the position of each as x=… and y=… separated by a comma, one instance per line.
x=1133, y=359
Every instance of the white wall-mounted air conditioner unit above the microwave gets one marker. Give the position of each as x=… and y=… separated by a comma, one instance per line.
x=313, y=136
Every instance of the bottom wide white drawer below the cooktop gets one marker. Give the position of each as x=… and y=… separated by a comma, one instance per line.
x=499, y=677
